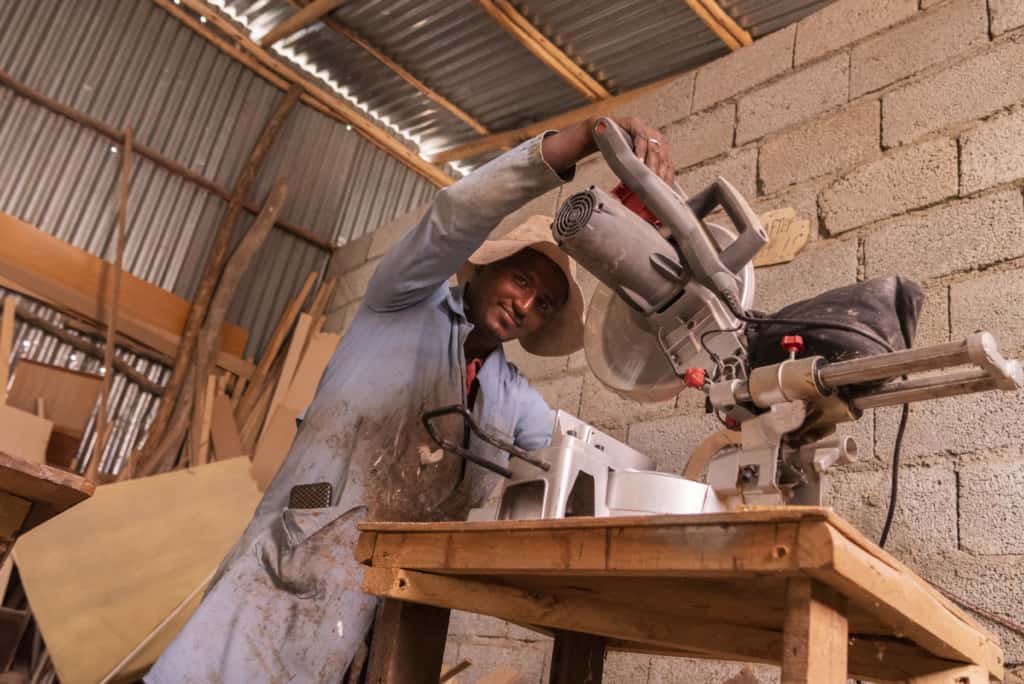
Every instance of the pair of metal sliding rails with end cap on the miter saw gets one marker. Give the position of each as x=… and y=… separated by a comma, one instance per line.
x=991, y=372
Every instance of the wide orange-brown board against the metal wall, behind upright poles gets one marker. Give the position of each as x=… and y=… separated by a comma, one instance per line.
x=76, y=279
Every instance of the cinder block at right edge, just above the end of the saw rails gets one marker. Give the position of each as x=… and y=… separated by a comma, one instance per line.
x=994, y=304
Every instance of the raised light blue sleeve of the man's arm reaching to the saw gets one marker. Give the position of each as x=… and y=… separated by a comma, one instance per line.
x=457, y=223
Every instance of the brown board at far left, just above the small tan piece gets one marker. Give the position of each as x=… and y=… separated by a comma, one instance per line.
x=70, y=396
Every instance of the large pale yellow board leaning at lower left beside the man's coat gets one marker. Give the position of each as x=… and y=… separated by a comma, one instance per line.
x=127, y=559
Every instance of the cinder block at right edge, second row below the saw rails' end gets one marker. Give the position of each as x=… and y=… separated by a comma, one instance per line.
x=992, y=509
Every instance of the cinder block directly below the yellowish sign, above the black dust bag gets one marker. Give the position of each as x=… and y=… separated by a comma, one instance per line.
x=822, y=267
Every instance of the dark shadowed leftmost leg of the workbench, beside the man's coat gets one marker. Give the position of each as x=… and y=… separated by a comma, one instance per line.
x=408, y=646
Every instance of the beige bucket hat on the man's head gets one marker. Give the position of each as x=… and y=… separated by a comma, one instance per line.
x=564, y=334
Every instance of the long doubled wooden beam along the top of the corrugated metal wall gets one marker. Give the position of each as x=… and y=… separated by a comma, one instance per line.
x=242, y=49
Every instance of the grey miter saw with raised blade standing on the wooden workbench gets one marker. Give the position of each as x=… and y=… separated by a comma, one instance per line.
x=674, y=313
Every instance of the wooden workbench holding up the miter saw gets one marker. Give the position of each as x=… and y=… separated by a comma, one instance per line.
x=796, y=586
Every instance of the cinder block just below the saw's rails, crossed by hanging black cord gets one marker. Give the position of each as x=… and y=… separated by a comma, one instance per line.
x=952, y=426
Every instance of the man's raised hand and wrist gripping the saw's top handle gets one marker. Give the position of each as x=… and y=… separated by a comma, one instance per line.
x=568, y=147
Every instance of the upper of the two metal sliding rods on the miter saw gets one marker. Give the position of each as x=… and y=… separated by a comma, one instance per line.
x=894, y=364
